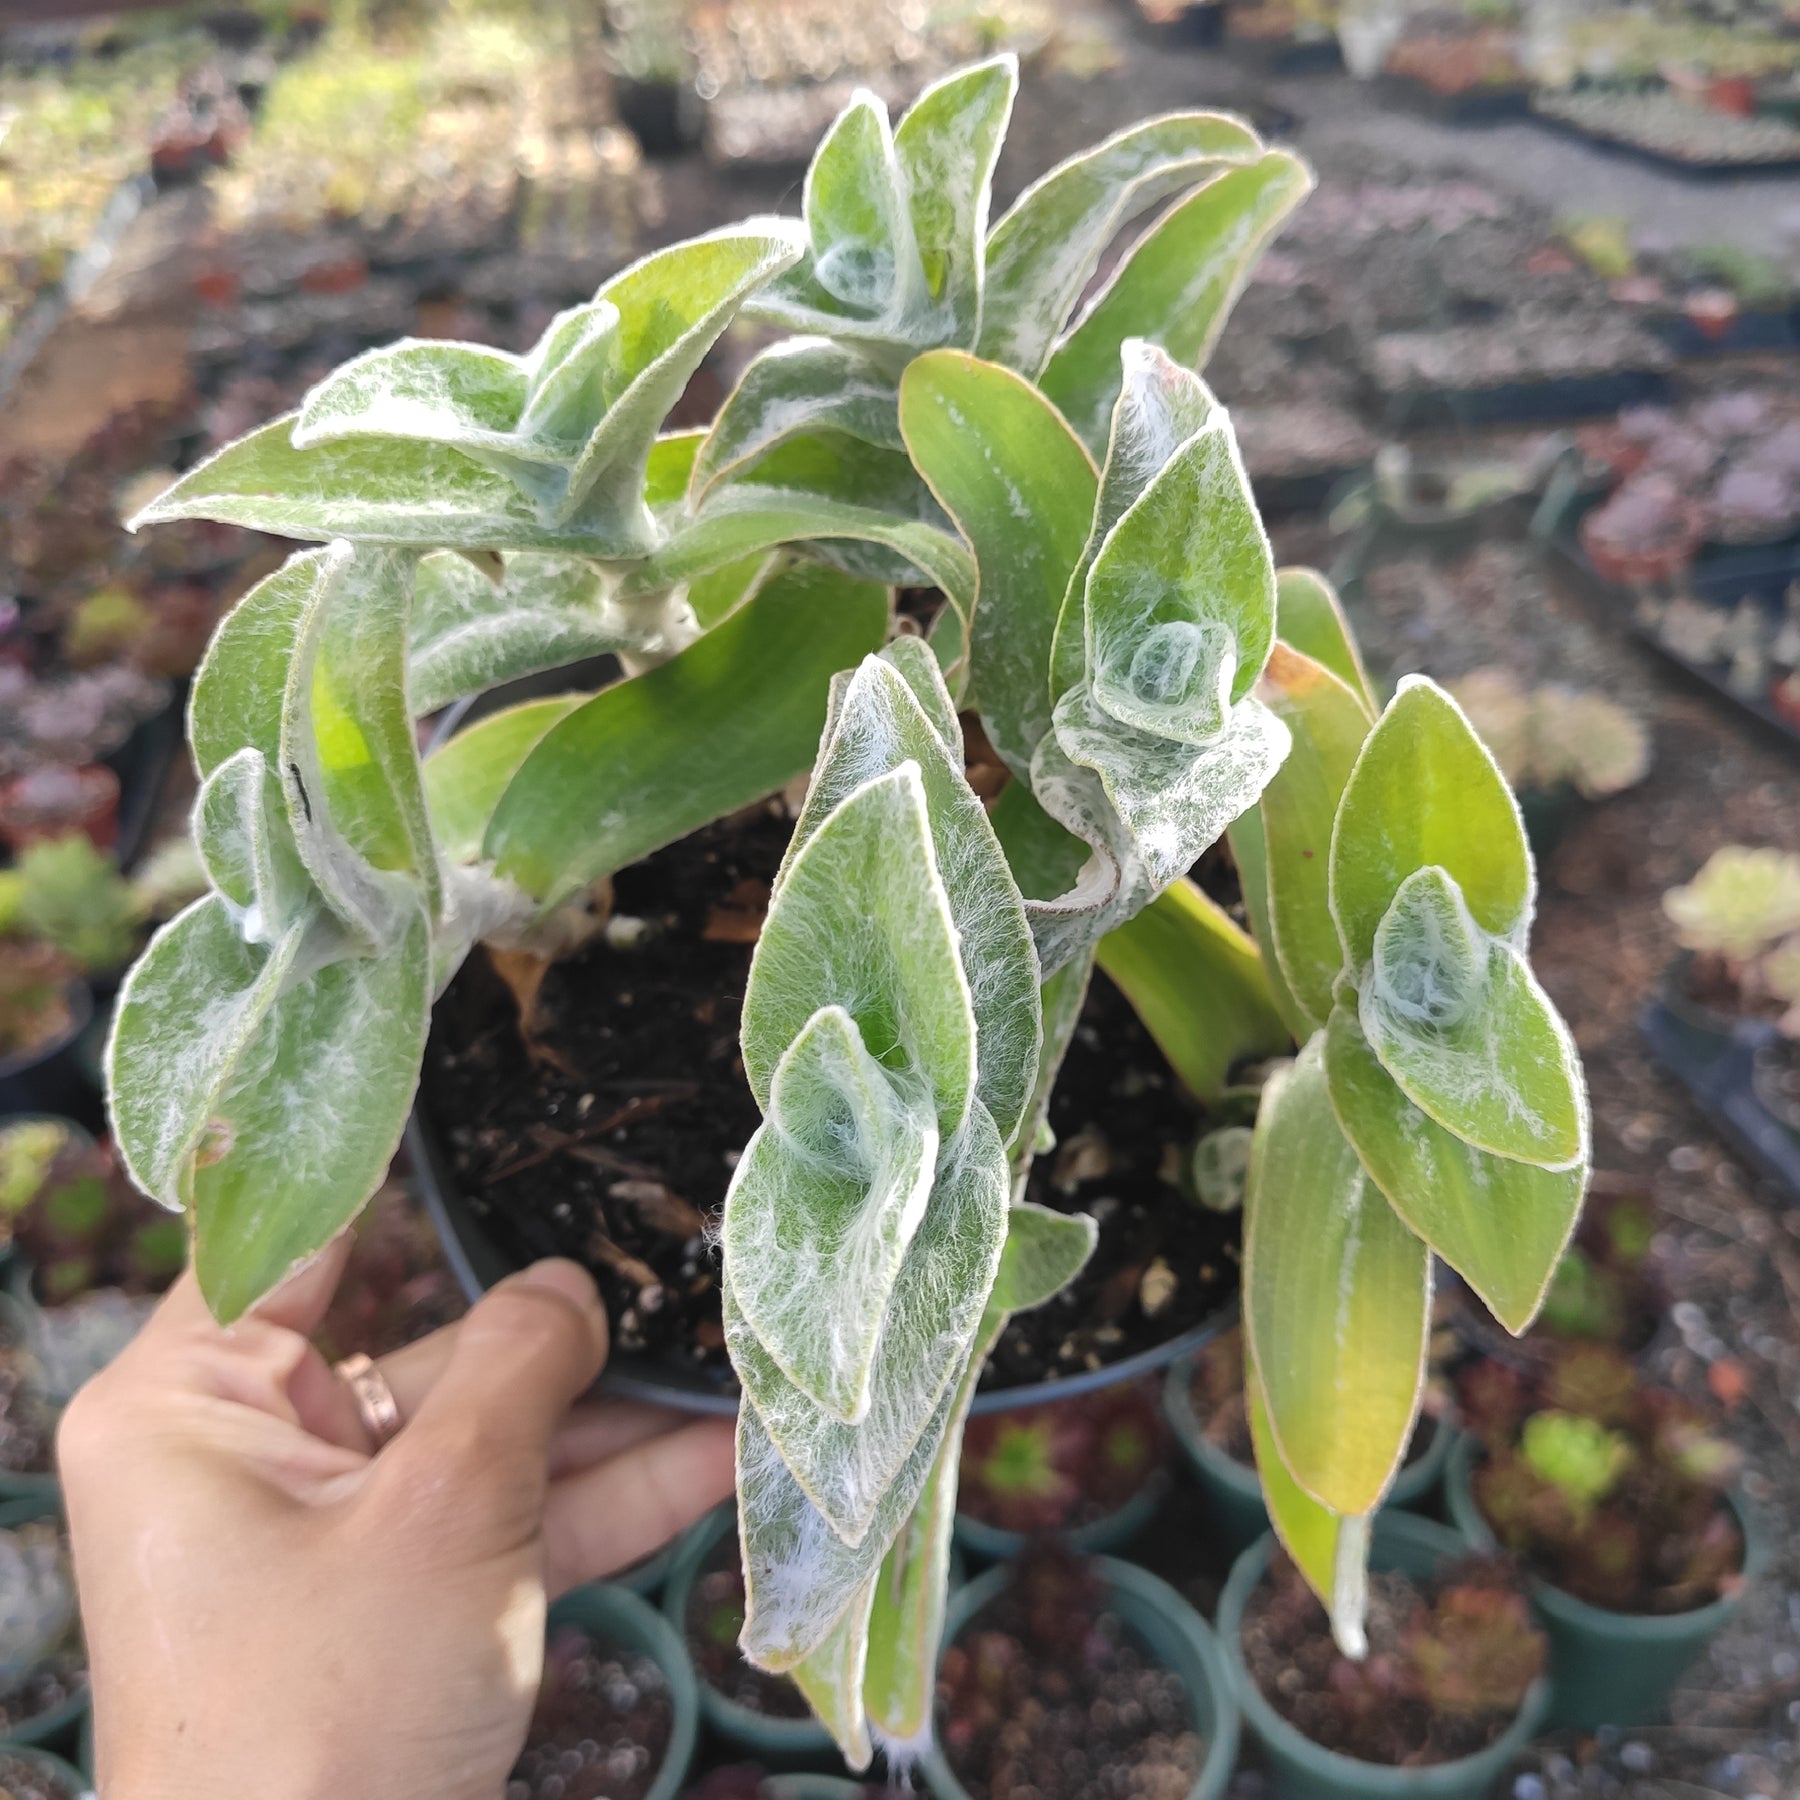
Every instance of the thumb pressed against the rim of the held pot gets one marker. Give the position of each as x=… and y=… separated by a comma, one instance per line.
x=521, y=1358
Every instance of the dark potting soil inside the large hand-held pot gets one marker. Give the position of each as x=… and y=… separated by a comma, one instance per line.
x=616, y=1138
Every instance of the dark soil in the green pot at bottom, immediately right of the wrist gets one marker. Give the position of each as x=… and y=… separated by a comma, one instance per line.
x=602, y=1725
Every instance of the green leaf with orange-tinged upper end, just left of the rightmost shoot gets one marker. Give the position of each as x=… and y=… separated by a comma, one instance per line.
x=1299, y=809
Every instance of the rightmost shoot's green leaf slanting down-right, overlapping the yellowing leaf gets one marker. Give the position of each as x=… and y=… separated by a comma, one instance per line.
x=1500, y=1225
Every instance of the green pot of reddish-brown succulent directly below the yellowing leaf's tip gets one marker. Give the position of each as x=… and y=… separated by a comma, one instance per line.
x=1446, y=1698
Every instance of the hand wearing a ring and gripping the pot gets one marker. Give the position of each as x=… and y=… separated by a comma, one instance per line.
x=273, y=1610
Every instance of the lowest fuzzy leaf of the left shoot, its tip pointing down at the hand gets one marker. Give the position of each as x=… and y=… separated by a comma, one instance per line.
x=309, y=1119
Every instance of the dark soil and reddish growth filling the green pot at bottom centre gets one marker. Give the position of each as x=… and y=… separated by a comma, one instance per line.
x=1048, y=1696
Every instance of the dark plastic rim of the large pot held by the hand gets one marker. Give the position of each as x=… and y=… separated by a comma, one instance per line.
x=478, y=1264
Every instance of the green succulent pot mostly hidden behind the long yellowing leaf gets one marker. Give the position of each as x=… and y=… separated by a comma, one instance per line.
x=1207, y=1408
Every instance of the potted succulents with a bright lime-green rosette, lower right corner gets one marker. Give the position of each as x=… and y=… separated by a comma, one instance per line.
x=1621, y=1502
